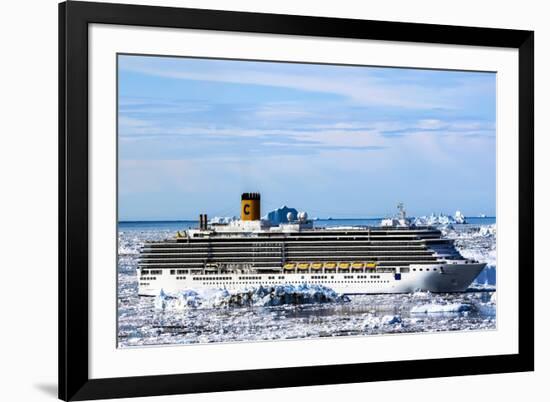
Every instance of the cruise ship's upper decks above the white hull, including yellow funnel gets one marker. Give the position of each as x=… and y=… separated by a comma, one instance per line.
x=258, y=245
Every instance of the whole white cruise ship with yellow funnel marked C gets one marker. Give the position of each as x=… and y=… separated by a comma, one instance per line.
x=245, y=253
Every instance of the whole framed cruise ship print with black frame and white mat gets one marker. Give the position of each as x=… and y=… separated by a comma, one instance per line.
x=257, y=200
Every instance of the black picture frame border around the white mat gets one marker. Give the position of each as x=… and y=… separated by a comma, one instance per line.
x=74, y=18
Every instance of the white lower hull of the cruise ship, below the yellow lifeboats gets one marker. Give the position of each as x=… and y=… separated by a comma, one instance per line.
x=440, y=278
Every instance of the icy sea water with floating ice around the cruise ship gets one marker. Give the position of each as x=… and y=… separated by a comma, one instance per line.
x=213, y=316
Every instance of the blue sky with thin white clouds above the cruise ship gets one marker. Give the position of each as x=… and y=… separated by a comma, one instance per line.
x=340, y=141
